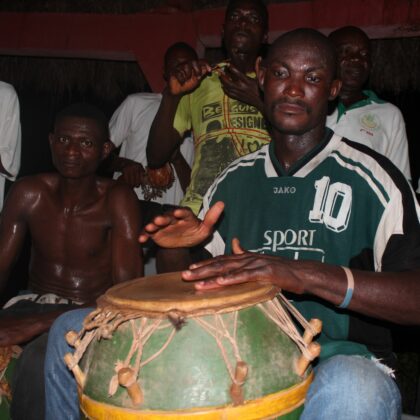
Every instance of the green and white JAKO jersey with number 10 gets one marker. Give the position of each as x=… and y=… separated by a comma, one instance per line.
x=342, y=204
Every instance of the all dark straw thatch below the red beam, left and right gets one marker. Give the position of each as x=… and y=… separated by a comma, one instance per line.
x=396, y=68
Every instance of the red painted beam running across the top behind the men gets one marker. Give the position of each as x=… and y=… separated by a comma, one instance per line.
x=145, y=36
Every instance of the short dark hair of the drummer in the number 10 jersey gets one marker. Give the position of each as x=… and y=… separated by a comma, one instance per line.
x=305, y=34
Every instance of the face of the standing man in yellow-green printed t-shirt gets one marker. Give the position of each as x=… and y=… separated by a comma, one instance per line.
x=244, y=29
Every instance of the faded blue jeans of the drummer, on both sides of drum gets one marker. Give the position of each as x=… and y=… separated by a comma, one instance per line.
x=344, y=387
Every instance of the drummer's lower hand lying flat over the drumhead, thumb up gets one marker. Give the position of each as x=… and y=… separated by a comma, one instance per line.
x=242, y=267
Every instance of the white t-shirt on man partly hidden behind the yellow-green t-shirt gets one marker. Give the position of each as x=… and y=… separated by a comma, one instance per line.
x=129, y=128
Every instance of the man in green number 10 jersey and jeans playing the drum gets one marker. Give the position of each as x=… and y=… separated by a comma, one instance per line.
x=338, y=222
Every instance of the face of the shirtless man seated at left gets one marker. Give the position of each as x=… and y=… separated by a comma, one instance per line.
x=77, y=146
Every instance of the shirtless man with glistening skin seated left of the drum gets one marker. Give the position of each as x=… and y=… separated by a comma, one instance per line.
x=84, y=233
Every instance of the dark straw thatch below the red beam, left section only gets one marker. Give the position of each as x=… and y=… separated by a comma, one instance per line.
x=108, y=81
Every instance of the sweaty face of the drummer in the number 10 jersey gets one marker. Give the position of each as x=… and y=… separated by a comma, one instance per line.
x=297, y=82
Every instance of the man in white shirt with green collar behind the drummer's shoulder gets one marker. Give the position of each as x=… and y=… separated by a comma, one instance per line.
x=360, y=115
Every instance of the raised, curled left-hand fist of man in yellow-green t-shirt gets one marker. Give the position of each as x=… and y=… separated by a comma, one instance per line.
x=187, y=76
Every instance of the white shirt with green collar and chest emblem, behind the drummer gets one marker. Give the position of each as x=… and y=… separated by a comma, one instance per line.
x=377, y=124
